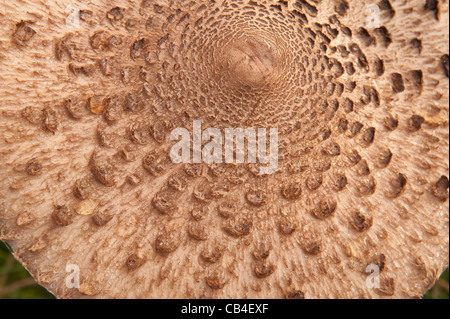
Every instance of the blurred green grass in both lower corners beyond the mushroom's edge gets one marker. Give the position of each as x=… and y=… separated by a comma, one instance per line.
x=16, y=283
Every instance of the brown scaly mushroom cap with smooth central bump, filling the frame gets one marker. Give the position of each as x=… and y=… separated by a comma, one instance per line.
x=359, y=93
